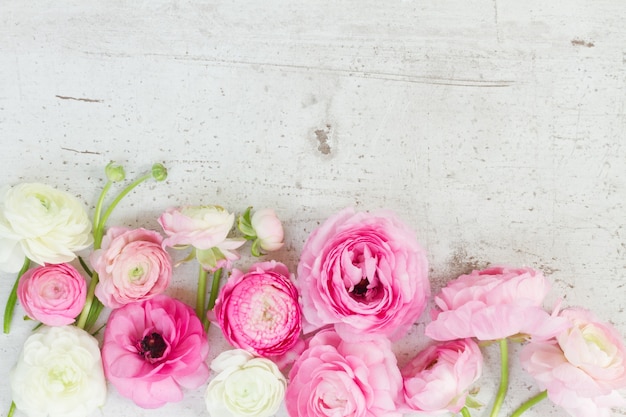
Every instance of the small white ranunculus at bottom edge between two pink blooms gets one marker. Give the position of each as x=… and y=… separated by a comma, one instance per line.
x=245, y=386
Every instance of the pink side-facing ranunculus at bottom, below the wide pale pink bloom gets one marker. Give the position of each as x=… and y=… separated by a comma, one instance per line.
x=438, y=379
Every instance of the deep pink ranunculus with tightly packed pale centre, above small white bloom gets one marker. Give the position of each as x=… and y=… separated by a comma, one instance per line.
x=258, y=311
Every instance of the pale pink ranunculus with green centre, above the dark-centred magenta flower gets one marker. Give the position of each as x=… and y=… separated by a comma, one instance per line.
x=132, y=266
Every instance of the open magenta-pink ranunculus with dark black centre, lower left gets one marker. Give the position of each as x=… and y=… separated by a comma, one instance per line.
x=153, y=349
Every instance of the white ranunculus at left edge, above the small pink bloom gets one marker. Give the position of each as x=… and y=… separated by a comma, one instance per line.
x=41, y=223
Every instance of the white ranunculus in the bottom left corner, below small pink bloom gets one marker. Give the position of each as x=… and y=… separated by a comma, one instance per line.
x=59, y=374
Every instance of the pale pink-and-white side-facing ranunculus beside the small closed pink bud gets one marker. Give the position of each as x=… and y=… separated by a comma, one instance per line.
x=206, y=229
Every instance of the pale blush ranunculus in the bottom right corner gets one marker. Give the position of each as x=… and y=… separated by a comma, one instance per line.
x=582, y=368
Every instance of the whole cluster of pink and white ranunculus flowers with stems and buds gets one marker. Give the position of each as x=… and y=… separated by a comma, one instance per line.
x=320, y=340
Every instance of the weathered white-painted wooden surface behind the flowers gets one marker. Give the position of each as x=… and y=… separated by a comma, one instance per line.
x=494, y=128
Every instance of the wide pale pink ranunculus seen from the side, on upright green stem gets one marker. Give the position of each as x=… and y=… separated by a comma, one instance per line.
x=492, y=304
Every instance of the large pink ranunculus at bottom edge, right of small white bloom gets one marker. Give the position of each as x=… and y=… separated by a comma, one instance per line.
x=337, y=378
